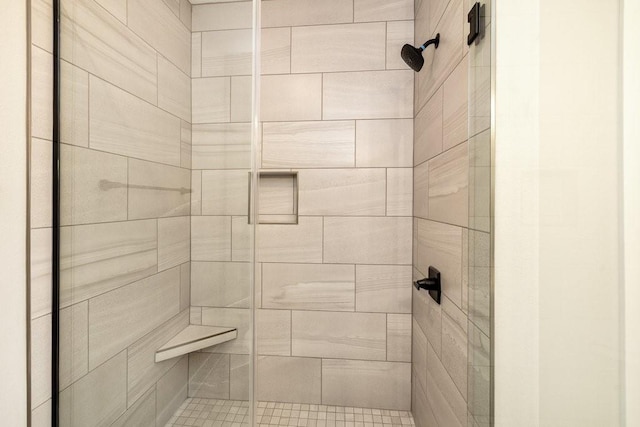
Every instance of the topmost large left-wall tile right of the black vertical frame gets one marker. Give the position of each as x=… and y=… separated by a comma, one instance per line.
x=97, y=42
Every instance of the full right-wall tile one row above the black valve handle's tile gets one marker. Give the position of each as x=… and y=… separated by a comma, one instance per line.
x=449, y=186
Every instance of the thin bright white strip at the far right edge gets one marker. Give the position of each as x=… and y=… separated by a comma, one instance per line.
x=632, y=207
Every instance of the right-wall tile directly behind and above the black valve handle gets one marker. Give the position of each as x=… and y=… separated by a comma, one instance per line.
x=440, y=245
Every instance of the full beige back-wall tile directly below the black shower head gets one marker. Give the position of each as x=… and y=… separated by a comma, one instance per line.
x=368, y=95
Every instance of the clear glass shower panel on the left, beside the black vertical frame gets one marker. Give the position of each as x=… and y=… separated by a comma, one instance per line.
x=156, y=246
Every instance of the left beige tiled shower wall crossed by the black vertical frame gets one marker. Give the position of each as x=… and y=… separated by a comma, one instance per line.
x=125, y=198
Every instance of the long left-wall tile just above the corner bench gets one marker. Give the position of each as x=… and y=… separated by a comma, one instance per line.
x=120, y=317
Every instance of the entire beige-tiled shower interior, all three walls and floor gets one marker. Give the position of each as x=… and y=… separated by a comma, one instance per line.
x=156, y=154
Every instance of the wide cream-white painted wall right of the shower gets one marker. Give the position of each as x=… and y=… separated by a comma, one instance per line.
x=558, y=209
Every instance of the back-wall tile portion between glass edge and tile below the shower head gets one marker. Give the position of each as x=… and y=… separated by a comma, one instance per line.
x=291, y=97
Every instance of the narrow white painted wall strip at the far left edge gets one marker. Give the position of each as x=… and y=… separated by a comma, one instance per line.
x=13, y=212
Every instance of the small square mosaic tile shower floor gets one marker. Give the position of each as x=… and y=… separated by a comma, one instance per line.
x=235, y=413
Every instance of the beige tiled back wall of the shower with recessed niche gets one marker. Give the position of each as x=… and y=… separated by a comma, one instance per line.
x=334, y=299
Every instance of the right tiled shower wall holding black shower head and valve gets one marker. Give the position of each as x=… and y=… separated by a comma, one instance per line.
x=450, y=364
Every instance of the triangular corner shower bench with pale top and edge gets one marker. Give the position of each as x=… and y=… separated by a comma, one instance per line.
x=194, y=338
